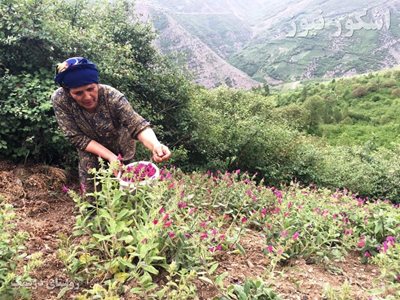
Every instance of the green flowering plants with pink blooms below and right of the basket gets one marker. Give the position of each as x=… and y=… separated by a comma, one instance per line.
x=161, y=241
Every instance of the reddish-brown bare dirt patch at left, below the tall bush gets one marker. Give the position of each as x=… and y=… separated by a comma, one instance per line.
x=44, y=213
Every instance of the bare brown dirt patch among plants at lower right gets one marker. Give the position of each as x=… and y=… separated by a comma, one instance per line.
x=298, y=279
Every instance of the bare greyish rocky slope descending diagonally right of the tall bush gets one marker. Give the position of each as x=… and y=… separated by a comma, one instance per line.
x=206, y=66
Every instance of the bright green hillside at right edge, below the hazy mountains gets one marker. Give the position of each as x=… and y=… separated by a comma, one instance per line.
x=359, y=110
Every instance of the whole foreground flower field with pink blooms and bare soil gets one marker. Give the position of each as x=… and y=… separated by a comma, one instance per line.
x=201, y=236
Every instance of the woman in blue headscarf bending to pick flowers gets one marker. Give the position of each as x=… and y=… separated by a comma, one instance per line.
x=97, y=119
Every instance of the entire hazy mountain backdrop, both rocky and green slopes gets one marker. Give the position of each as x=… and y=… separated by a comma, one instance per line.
x=278, y=41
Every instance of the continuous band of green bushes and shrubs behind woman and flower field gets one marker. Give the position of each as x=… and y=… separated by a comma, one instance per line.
x=304, y=134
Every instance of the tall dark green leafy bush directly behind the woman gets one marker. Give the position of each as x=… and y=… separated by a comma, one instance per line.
x=36, y=35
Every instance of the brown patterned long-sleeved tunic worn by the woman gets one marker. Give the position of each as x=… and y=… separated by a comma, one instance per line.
x=114, y=124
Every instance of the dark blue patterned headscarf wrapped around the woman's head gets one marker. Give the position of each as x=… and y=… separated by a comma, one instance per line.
x=76, y=72
